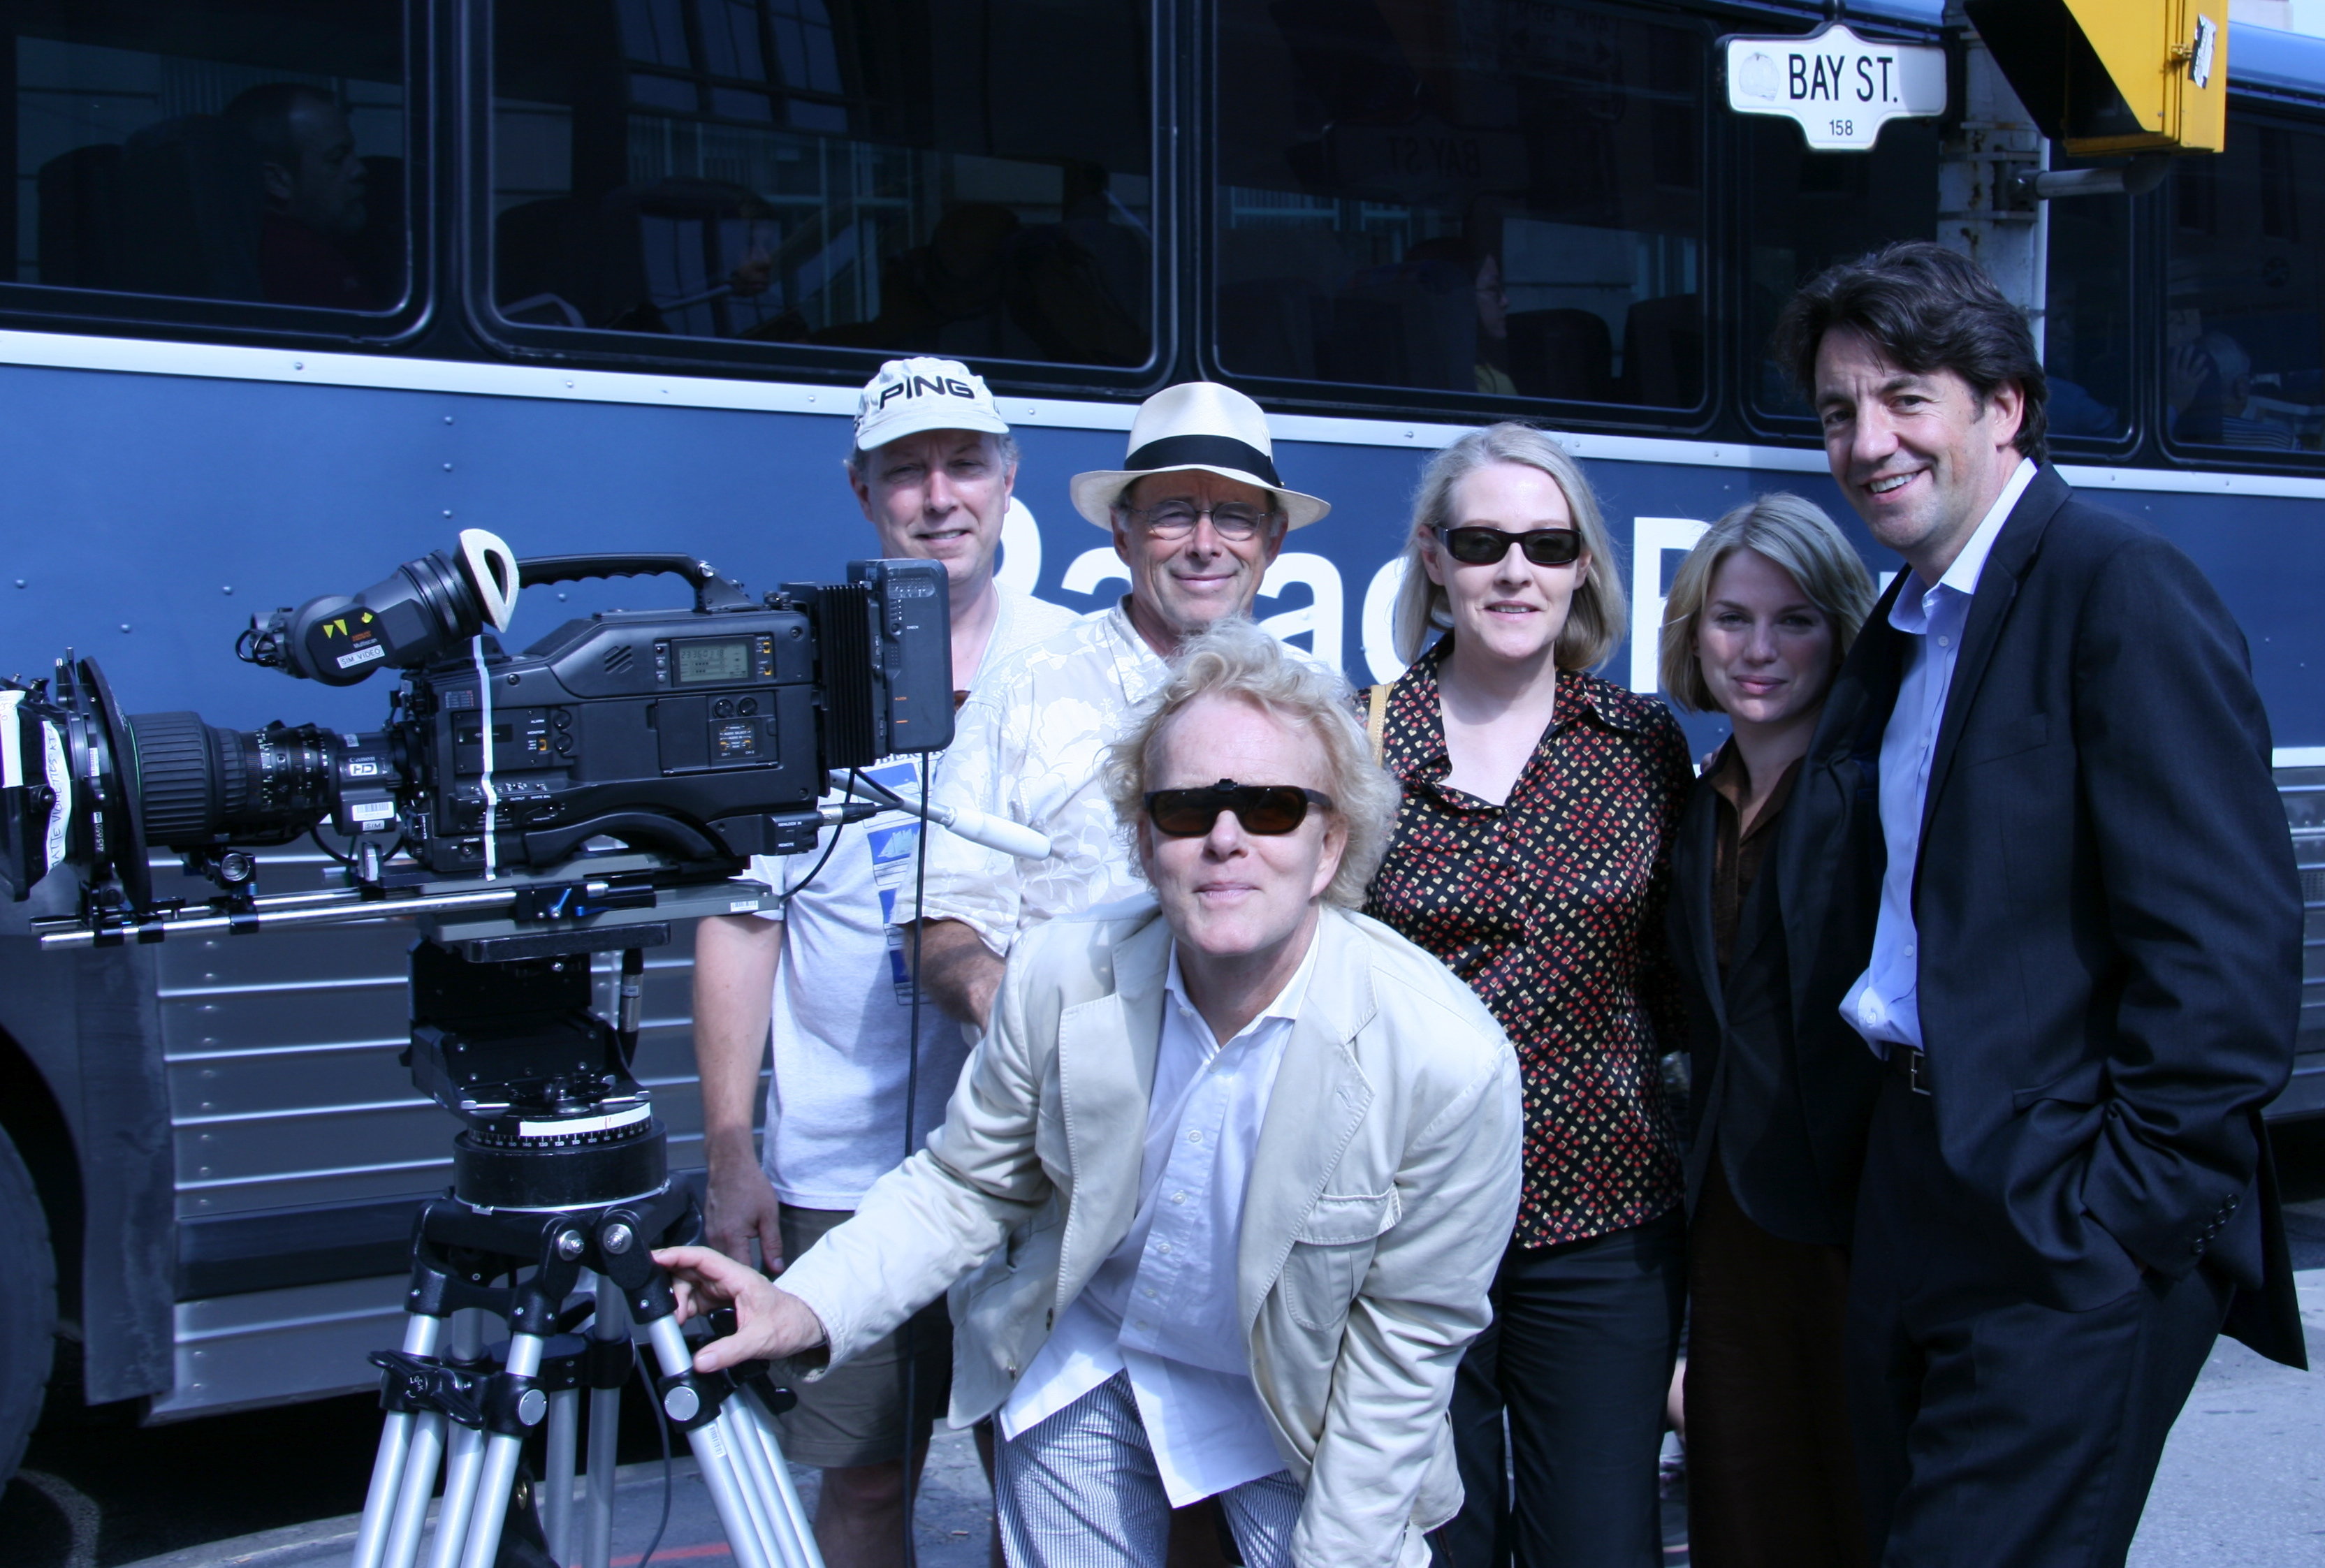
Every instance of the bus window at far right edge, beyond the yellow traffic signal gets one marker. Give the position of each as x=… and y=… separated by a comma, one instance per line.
x=2245, y=303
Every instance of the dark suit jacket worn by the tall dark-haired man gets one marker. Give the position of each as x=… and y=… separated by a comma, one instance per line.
x=2108, y=912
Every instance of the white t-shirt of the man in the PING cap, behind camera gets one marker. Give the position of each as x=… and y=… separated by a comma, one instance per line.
x=843, y=993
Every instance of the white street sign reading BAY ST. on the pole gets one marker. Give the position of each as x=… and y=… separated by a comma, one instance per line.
x=1838, y=87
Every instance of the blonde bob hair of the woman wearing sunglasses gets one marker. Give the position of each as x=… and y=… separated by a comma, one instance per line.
x=1596, y=617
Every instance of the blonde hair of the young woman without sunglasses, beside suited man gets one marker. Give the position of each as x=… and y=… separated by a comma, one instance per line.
x=1789, y=533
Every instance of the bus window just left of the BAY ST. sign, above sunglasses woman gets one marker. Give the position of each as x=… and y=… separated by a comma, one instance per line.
x=1422, y=194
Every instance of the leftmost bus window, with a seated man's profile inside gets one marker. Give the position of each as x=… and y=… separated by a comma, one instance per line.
x=222, y=150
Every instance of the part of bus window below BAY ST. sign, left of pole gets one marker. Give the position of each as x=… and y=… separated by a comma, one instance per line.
x=1808, y=213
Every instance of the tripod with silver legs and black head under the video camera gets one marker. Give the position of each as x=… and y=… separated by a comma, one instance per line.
x=564, y=1174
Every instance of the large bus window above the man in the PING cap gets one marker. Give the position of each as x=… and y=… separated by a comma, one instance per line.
x=843, y=173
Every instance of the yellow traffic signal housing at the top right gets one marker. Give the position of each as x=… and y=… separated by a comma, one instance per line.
x=2115, y=75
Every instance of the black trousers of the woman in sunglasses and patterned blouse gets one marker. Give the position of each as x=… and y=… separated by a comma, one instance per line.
x=1580, y=1360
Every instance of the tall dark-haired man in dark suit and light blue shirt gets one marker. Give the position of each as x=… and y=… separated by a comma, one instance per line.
x=2084, y=965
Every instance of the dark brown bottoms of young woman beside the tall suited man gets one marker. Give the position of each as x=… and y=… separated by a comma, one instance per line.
x=1773, y=1472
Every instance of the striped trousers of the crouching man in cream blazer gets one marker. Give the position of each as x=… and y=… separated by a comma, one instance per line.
x=1080, y=1490
